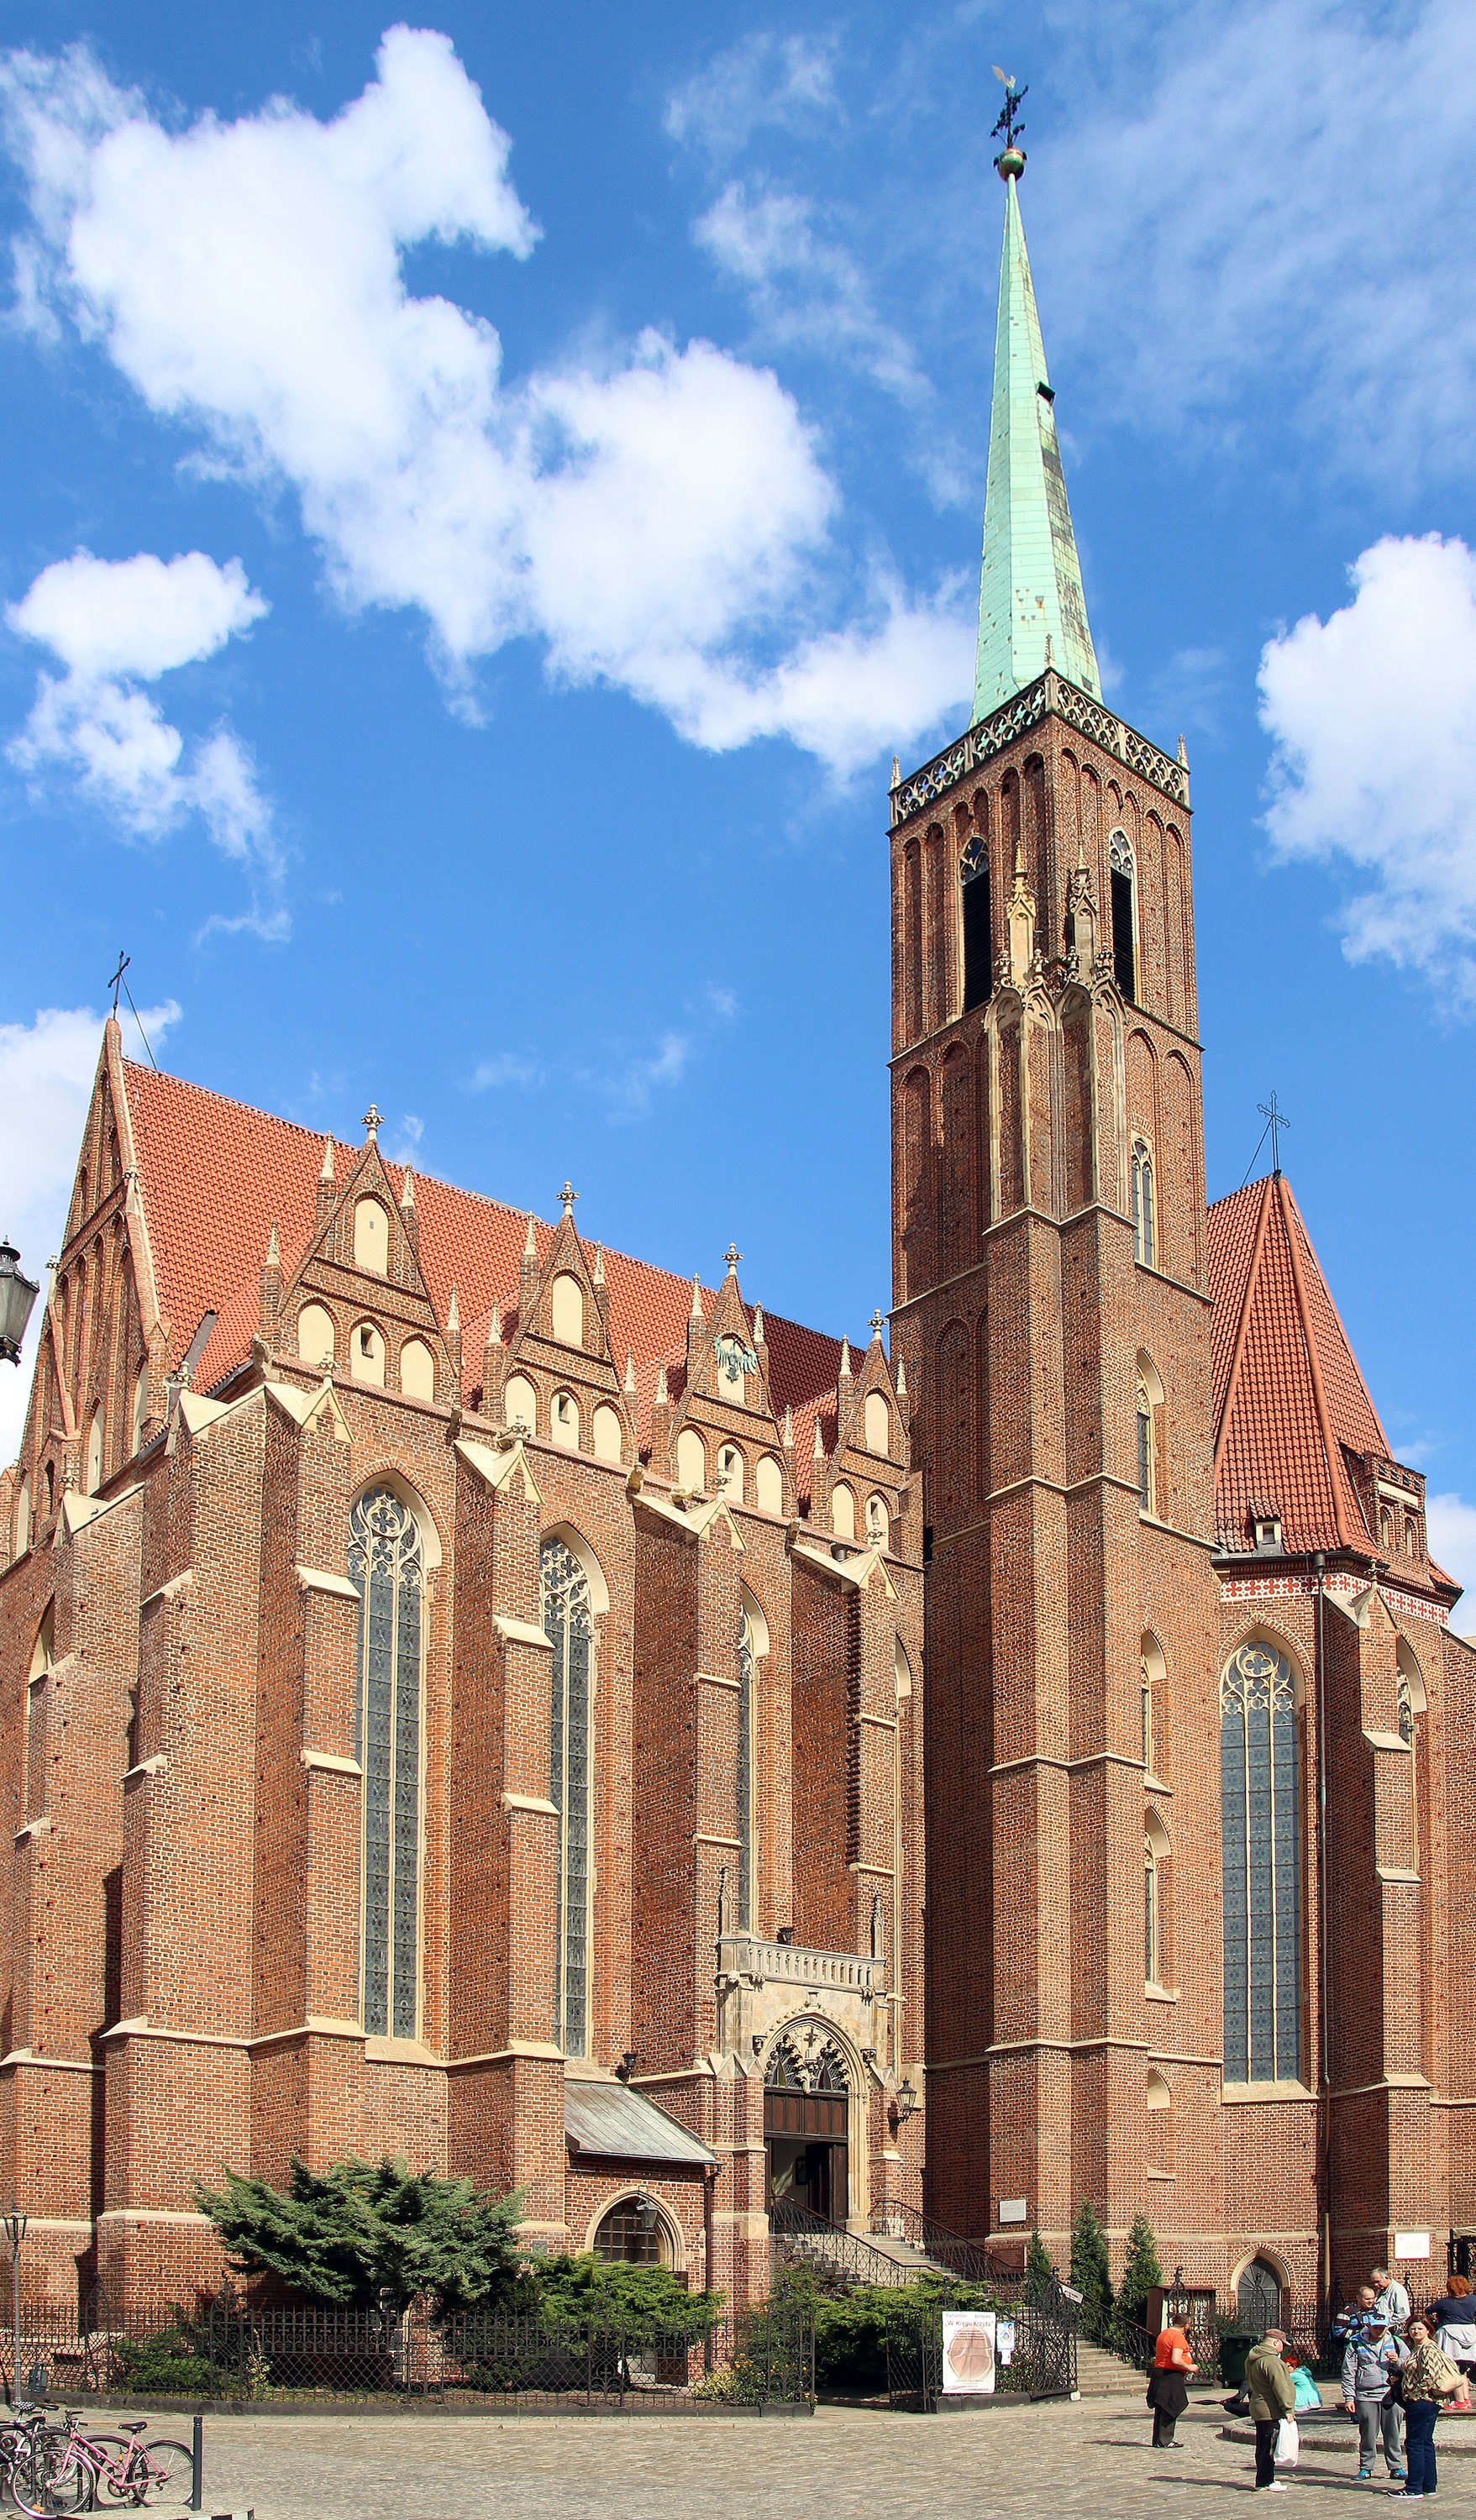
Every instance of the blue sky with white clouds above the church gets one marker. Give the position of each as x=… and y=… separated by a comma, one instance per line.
x=581, y=425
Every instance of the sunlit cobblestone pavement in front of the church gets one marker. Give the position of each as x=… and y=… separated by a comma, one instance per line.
x=1034, y=2463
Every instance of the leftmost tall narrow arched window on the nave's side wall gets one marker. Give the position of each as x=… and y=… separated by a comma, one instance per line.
x=387, y=1566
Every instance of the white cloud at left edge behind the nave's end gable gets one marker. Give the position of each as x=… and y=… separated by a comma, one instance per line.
x=47, y=1077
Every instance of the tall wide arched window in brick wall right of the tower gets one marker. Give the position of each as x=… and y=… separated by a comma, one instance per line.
x=1263, y=1869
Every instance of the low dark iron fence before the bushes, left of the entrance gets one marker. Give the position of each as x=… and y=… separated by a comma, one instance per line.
x=228, y=2355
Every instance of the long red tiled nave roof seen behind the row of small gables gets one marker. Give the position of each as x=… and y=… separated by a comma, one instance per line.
x=215, y=1176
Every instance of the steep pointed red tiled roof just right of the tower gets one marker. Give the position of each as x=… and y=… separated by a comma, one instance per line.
x=1288, y=1392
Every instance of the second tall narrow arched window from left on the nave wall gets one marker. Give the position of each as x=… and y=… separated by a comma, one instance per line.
x=571, y=1632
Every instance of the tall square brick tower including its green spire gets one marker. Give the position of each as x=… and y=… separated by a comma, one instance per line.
x=1054, y=1322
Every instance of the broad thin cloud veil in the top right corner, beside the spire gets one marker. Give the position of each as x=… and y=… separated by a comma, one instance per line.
x=1266, y=195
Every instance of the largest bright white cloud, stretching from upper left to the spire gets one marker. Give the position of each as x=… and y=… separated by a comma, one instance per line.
x=659, y=525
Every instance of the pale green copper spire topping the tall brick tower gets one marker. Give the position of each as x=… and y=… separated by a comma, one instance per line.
x=1031, y=576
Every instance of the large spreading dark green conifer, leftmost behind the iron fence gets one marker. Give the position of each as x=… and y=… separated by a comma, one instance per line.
x=369, y=2234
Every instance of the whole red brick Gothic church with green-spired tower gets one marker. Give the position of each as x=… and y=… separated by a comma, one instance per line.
x=472, y=1695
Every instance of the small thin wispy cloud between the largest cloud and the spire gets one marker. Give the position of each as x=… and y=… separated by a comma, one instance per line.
x=805, y=291
